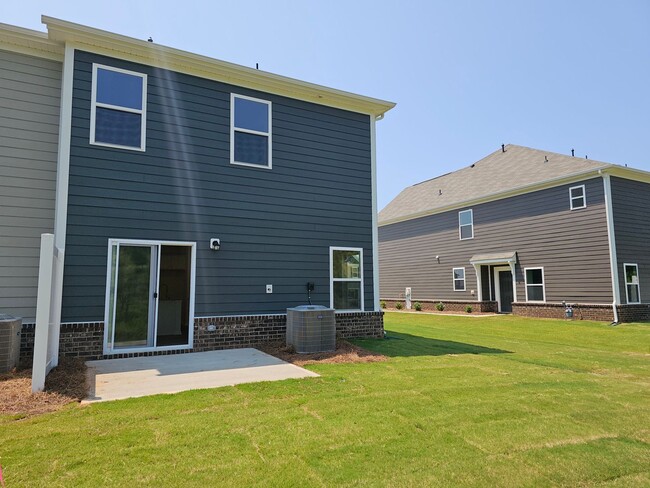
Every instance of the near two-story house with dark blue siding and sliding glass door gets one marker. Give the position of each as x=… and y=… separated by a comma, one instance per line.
x=191, y=200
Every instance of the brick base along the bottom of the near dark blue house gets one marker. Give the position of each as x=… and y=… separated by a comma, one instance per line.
x=86, y=341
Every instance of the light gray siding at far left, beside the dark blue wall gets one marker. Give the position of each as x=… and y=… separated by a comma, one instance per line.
x=29, y=119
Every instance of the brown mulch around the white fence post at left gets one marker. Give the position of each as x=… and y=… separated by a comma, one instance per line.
x=66, y=383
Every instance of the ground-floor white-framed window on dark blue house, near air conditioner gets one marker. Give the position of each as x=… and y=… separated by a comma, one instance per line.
x=346, y=278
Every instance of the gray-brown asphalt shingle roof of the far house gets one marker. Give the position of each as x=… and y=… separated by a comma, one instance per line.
x=498, y=172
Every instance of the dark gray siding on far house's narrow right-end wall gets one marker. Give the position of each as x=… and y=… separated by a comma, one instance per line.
x=631, y=209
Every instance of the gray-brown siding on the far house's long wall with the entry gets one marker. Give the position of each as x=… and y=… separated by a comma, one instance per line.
x=571, y=246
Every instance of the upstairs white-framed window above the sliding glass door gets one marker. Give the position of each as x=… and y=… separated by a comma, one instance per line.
x=118, y=108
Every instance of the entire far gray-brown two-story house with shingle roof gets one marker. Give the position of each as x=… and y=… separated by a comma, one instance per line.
x=523, y=231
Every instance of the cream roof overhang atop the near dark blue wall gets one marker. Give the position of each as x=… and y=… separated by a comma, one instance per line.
x=139, y=51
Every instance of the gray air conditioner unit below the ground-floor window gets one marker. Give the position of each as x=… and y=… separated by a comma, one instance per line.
x=311, y=328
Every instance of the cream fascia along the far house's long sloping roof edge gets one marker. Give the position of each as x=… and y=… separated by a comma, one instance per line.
x=500, y=195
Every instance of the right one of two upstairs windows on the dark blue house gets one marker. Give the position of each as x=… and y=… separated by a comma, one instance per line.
x=250, y=131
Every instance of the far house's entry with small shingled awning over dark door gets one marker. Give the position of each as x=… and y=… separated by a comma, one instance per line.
x=496, y=278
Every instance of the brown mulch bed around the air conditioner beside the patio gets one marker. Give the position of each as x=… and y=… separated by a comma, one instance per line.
x=345, y=353
